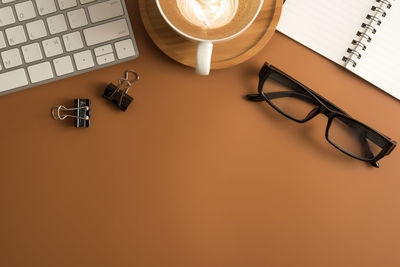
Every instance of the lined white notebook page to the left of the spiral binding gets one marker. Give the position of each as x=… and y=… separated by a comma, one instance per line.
x=325, y=26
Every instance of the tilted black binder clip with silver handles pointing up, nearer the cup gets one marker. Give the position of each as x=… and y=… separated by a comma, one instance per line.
x=119, y=94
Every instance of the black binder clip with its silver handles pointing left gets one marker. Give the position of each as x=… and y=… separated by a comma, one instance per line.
x=81, y=113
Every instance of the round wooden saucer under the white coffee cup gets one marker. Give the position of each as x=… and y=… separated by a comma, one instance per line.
x=225, y=54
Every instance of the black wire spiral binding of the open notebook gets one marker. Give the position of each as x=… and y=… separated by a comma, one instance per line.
x=367, y=29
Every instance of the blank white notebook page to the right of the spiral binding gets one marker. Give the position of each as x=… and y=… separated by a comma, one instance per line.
x=380, y=62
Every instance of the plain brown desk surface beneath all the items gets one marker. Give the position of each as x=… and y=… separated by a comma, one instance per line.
x=192, y=174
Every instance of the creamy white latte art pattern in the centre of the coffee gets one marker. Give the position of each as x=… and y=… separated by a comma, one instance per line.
x=208, y=14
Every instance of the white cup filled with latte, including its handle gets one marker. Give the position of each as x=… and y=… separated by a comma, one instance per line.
x=208, y=21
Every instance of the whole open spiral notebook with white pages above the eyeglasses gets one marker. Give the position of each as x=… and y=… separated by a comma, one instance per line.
x=361, y=35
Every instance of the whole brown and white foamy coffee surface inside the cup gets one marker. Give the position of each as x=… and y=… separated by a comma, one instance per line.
x=210, y=19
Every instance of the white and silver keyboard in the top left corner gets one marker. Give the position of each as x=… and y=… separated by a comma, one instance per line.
x=47, y=40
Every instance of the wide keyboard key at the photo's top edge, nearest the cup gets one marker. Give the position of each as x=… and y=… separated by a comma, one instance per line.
x=105, y=10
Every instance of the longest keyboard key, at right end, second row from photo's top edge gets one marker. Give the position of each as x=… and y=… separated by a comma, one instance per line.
x=106, y=32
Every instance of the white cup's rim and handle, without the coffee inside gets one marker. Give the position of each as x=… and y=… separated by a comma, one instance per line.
x=205, y=46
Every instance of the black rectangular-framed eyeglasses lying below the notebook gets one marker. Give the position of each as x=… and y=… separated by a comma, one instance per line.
x=299, y=103
